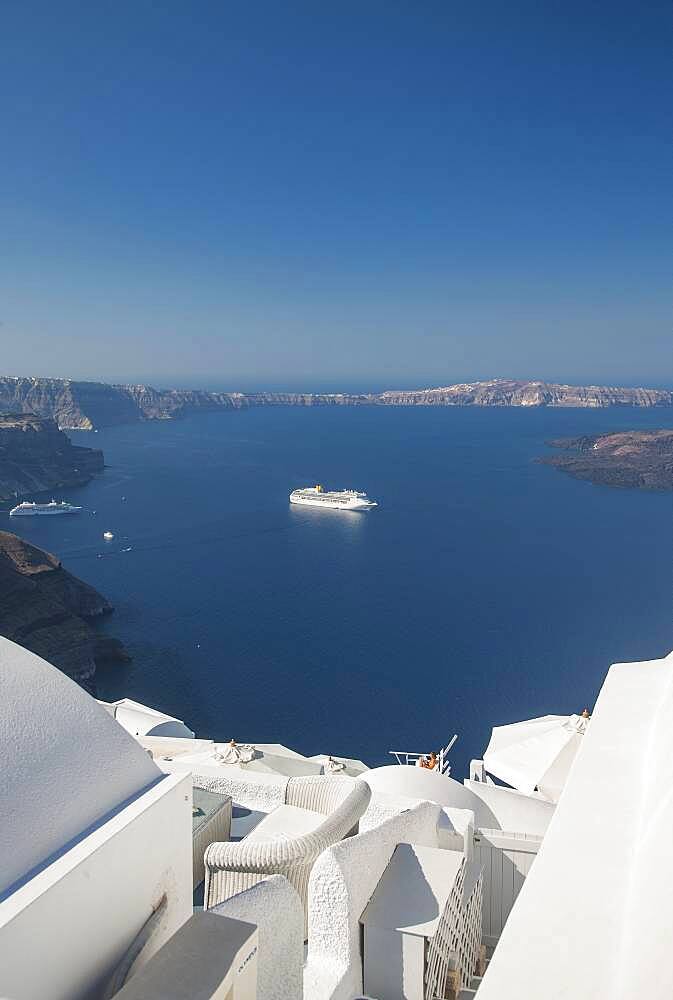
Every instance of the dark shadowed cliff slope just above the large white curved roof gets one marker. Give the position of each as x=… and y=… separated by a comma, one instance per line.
x=47, y=610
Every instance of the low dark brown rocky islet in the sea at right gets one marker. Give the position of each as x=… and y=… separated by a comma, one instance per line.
x=635, y=459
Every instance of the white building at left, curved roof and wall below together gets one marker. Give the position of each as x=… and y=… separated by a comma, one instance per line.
x=93, y=837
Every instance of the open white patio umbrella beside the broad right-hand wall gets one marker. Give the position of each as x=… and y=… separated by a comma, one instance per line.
x=536, y=753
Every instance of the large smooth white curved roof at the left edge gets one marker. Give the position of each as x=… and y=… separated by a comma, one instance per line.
x=66, y=763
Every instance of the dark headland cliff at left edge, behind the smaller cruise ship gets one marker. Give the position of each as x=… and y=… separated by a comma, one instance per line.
x=35, y=456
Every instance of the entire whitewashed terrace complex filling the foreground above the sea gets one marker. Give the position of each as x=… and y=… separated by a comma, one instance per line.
x=323, y=879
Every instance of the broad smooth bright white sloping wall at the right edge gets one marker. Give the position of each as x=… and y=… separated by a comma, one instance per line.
x=594, y=919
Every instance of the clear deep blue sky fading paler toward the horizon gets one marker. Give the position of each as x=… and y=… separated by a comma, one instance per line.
x=374, y=192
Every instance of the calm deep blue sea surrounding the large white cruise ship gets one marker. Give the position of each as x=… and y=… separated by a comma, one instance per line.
x=484, y=589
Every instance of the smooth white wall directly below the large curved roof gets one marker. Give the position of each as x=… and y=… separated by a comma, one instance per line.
x=63, y=933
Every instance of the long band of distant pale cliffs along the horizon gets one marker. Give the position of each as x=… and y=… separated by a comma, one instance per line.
x=89, y=405
